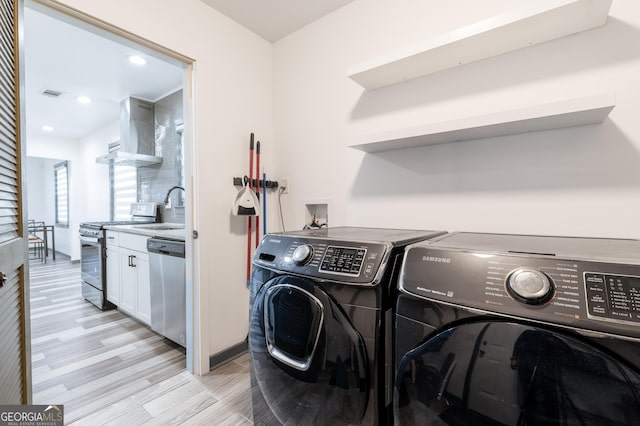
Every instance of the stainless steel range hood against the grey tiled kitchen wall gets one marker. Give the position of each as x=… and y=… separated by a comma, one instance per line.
x=137, y=136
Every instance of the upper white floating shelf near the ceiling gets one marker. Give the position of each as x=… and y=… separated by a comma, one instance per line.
x=544, y=20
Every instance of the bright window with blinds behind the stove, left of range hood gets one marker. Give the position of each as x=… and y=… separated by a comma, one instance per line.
x=123, y=189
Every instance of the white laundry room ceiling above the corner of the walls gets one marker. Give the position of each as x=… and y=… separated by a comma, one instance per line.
x=274, y=19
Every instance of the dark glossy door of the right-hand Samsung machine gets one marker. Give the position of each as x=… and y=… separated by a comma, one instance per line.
x=508, y=373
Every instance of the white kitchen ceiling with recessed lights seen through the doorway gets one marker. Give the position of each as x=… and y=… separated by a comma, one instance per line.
x=76, y=62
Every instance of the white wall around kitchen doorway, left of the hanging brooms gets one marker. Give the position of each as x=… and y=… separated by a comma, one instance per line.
x=232, y=98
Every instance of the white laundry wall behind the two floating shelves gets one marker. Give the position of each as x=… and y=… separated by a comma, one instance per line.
x=581, y=181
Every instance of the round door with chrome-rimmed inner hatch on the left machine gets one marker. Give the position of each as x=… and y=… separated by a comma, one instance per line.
x=308, y=362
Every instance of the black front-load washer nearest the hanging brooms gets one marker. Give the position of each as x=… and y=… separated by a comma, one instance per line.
x=320, y=325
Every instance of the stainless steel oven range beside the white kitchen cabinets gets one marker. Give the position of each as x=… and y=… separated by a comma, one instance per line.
x=93, y=253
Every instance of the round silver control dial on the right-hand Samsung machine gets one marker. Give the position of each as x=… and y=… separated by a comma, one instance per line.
x=530, y=286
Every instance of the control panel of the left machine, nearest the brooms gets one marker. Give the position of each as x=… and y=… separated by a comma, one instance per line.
x=344, y=261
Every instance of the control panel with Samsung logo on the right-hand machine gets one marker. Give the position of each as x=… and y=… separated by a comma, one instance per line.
x=594, y=296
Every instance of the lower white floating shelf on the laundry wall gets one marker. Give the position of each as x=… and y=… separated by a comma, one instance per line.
x=556, y=115
